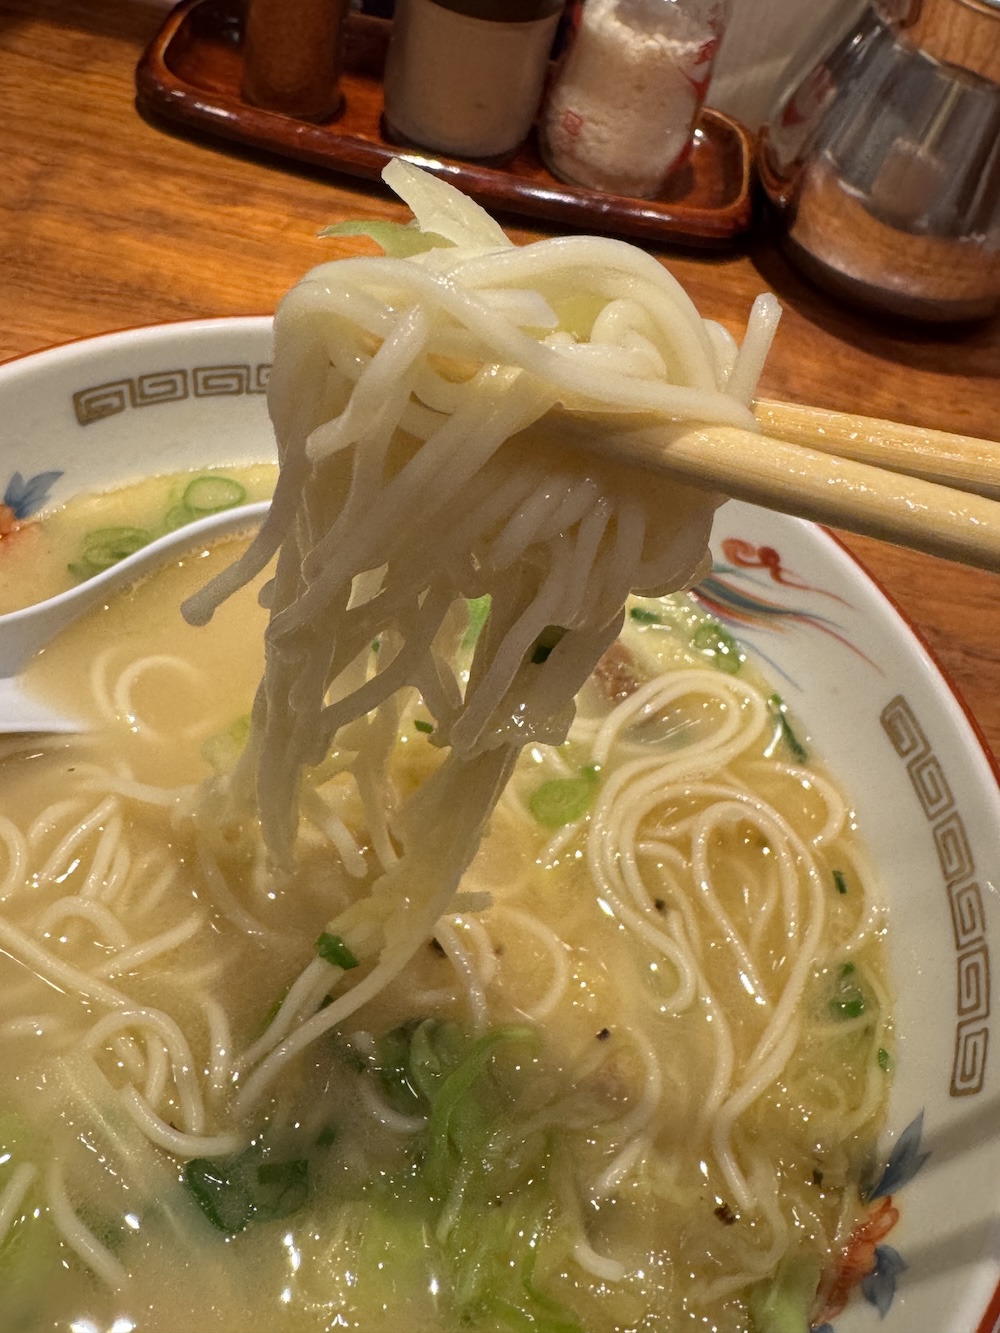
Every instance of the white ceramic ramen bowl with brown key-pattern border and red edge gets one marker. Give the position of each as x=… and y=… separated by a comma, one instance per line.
x=111, y=410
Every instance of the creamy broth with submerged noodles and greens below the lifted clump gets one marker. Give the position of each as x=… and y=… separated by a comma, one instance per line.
x=633, y=1083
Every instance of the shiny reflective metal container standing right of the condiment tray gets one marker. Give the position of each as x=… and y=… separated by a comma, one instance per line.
x=882, y=166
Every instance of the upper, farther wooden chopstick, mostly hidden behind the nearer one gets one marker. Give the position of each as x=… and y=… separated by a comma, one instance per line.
x=957, y=461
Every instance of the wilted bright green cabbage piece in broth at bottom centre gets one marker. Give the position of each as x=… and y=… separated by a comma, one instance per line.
x=482, y=1192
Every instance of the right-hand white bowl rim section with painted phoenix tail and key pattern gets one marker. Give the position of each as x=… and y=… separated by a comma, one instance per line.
x=926, y=796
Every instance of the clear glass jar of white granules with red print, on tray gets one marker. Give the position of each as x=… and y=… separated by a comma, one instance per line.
x=622, y=114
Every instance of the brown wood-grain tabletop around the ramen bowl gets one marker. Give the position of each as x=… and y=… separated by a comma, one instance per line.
x=107, y=222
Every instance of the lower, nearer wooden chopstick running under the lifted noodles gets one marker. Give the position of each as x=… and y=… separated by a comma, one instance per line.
x=799, y=481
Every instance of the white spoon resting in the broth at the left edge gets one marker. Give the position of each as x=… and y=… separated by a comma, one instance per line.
x=25, y=633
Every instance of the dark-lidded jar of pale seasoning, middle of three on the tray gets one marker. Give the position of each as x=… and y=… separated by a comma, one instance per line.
x=466, y=77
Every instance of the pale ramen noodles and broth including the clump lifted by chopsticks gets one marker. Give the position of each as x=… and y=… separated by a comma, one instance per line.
x=633, y=1079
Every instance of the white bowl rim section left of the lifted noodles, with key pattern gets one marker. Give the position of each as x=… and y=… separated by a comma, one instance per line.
x=113, y=410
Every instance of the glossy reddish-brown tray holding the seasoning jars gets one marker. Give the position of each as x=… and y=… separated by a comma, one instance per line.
x=193, y=70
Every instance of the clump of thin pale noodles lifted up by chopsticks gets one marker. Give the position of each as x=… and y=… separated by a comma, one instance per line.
x=441, y=418
